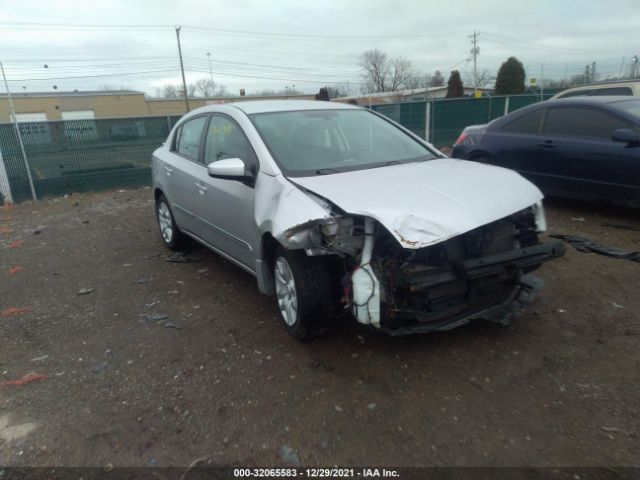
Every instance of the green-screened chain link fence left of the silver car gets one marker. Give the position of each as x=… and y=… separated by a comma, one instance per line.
x=79, y=155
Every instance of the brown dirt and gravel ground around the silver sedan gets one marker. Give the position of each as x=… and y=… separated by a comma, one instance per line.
x=561, y=386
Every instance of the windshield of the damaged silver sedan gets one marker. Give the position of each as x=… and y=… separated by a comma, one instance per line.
x=319, y=142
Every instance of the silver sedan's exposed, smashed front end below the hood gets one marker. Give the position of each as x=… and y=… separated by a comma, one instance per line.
x=401, y=288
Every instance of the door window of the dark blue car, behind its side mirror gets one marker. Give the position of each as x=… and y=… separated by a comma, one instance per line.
x=581, y=122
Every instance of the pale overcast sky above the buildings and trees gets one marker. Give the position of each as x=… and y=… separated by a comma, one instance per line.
x=280, y=43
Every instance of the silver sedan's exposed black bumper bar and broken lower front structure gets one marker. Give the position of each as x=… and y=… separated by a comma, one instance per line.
x=492, y=288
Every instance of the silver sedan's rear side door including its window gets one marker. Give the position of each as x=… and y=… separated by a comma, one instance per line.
x=181, y=170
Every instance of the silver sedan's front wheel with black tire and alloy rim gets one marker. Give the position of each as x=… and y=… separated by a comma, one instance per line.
x=303, y=293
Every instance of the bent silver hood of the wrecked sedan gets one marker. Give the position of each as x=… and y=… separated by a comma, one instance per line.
x=424, y=203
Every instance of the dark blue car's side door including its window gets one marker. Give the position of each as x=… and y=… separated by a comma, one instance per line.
x=583, y=160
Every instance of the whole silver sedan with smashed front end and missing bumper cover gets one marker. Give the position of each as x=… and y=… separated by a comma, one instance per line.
x=335, y=208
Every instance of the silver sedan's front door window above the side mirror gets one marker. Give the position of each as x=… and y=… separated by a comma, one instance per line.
x=225, y=139
